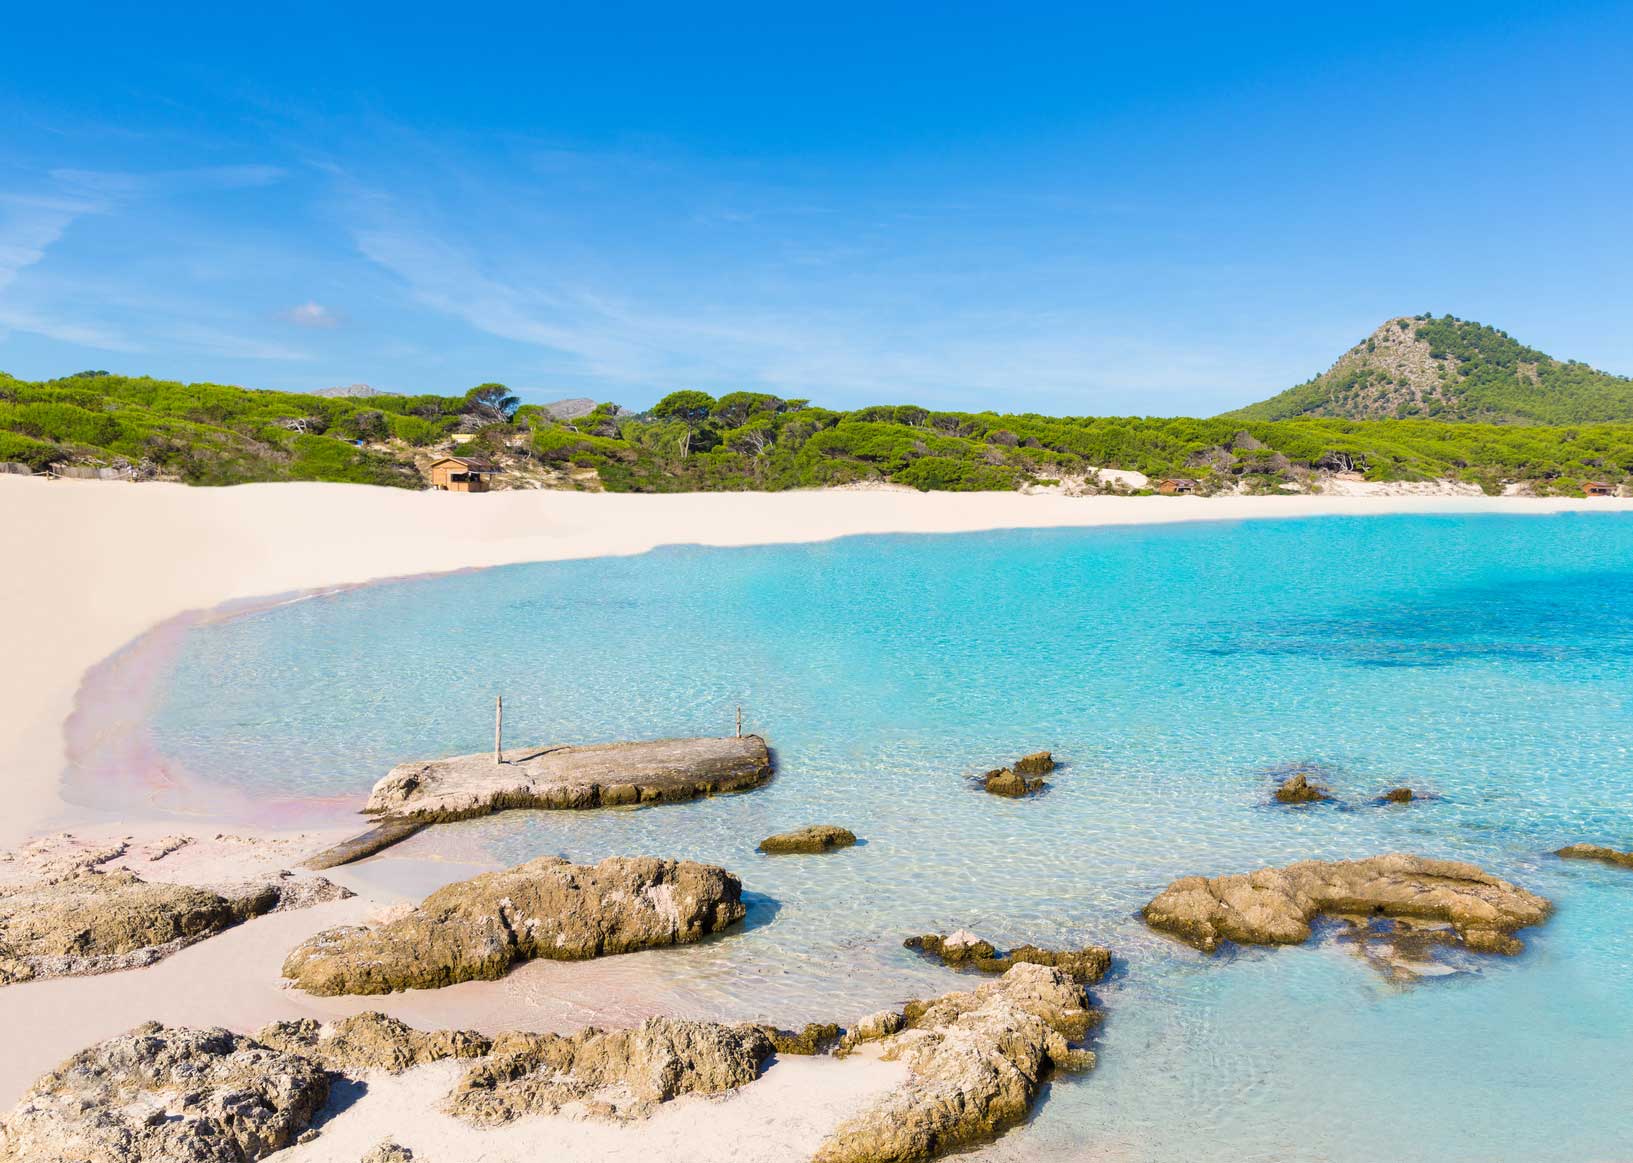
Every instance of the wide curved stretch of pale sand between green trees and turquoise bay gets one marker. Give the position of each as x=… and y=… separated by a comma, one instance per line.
x=89, y=636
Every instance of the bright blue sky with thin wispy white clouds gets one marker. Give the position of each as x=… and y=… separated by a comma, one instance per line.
x=1013, y=207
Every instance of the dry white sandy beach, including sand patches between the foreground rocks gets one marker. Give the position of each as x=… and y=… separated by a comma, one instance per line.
x=94, y=566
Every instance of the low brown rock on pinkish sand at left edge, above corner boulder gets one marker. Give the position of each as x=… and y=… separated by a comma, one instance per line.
x=97, y=922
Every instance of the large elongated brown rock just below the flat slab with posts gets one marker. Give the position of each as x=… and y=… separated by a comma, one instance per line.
x=476, y=930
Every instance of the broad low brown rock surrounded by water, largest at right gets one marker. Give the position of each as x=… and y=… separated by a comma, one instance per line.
x=1278, y=906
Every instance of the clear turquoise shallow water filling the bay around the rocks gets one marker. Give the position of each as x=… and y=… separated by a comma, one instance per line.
x=1173, y=672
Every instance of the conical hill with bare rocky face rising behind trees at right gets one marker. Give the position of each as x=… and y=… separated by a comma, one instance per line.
x=1448, y=368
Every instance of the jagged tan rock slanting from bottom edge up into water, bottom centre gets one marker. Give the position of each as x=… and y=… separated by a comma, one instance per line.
x=976, y=1063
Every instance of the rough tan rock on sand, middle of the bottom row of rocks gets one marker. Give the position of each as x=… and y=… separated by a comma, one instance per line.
x=613, y=1074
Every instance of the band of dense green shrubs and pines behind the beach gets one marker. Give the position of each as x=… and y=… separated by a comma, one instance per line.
x=215, y=435
